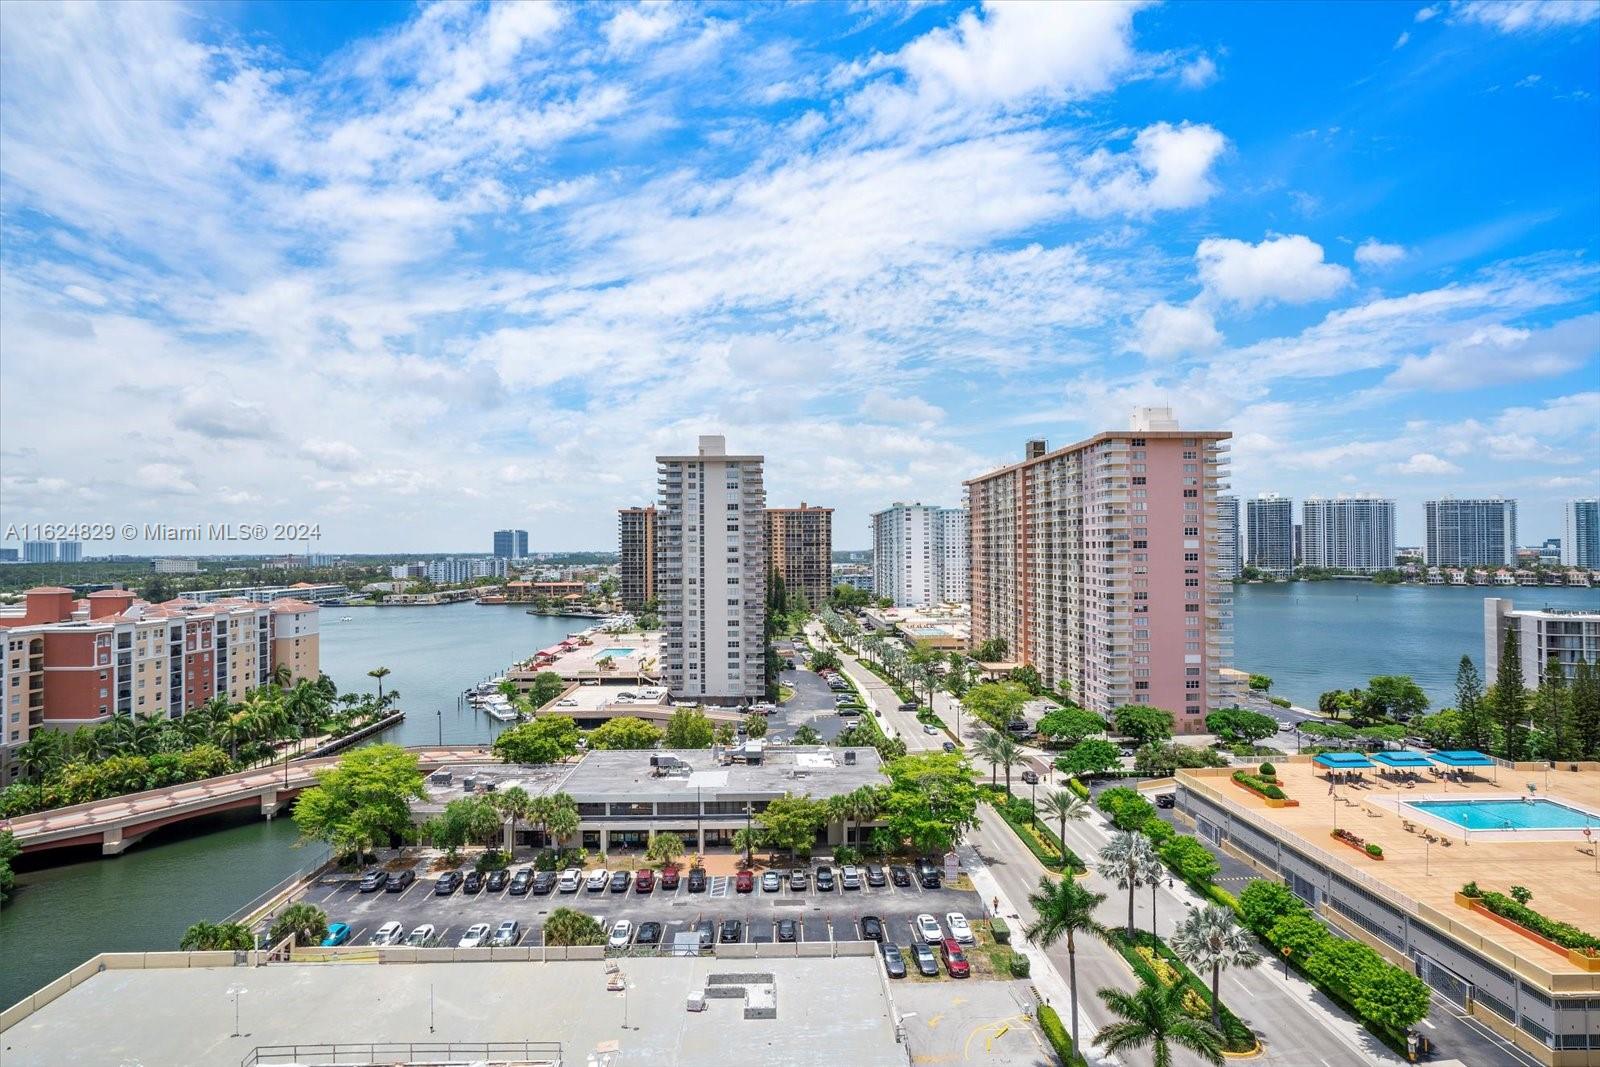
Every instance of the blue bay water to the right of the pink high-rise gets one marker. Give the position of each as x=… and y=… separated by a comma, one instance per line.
x=1313, y=637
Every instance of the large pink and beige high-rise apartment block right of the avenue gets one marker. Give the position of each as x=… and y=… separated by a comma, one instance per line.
x=1098, y=565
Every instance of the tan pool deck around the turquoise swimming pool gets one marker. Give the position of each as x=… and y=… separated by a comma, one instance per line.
x=1561, y=874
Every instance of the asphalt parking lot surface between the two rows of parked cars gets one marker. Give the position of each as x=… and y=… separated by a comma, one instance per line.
x=820, y=916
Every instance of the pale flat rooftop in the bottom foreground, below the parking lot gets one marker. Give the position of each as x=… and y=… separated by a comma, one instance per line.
x=828, y=1010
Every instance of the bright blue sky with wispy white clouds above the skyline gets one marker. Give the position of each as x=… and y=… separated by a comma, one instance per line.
x=417, y=273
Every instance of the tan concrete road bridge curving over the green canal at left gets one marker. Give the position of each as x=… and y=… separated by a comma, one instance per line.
x=119, y=821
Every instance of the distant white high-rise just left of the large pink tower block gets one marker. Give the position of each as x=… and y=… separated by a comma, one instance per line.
x=921, y=554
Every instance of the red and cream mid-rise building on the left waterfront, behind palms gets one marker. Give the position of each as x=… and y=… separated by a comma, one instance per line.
x=78, y=661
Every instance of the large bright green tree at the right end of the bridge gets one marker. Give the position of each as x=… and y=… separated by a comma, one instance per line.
x=362, y=801
